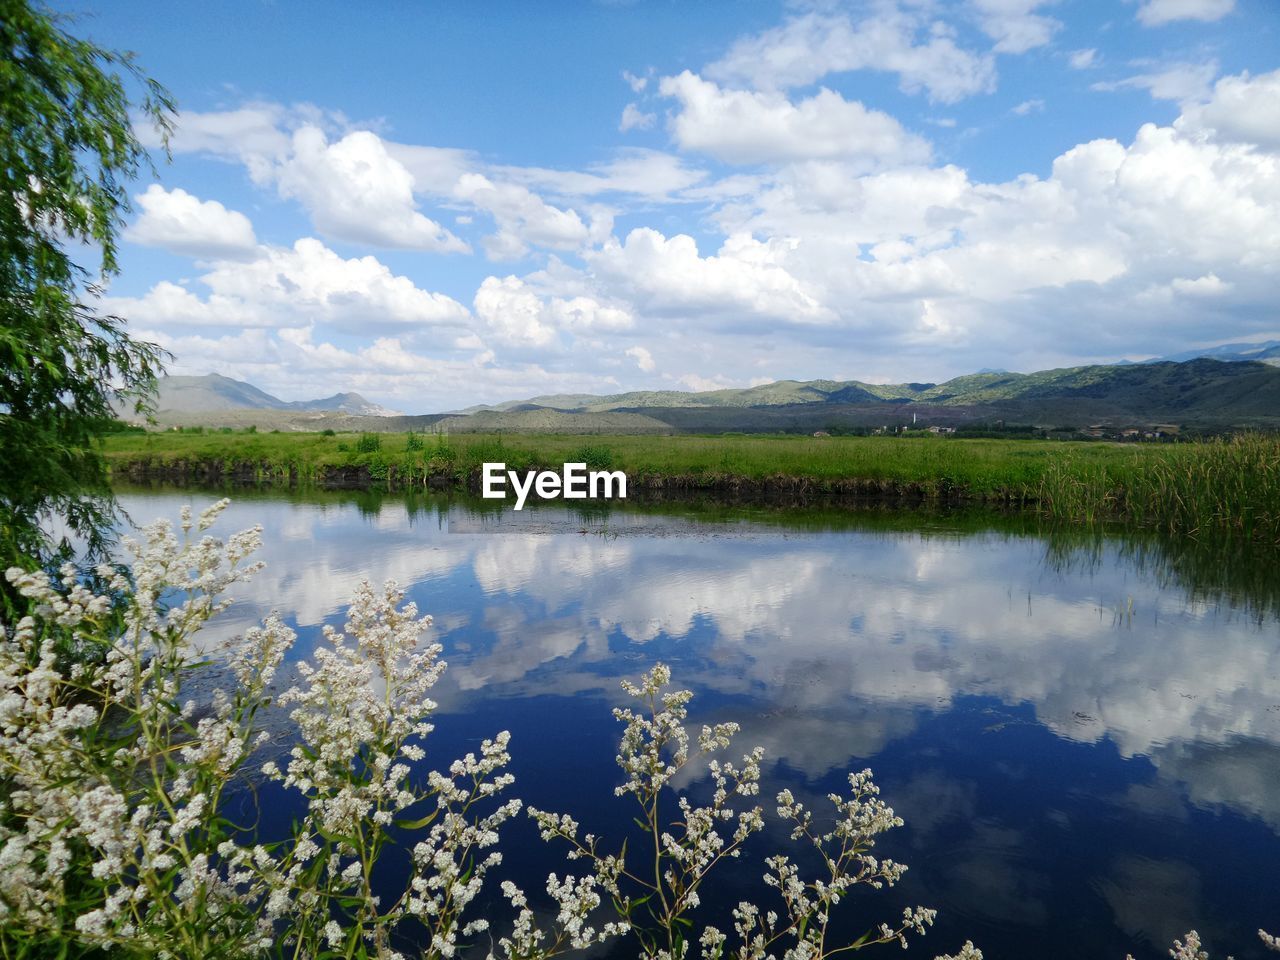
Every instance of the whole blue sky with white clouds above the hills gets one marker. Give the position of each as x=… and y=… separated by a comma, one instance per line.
x=444, y=204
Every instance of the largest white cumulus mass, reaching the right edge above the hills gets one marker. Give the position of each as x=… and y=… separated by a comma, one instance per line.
x=915, y=258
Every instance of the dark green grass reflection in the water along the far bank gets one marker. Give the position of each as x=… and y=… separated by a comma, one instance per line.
x=1224, y=569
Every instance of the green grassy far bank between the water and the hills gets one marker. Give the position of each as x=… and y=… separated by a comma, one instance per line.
x=1187, y=488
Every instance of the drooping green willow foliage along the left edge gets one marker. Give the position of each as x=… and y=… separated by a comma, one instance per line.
x=67, y=149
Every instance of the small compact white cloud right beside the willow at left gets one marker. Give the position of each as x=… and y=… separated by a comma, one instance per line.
x=179, y=222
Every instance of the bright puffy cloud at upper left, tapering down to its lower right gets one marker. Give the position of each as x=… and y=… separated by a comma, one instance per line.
x=355, y=190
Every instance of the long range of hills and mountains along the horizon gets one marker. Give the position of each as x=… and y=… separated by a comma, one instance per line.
x=1238, y=387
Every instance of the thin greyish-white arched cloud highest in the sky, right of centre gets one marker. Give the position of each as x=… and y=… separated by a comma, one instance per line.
x=806, y=49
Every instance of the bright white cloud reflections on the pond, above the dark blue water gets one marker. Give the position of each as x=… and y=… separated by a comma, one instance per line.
x=840, y=637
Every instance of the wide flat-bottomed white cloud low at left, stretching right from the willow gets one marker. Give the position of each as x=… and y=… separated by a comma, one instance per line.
x=296, y=287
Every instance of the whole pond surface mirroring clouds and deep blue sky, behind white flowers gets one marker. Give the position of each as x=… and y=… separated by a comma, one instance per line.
x=1089, y=764
